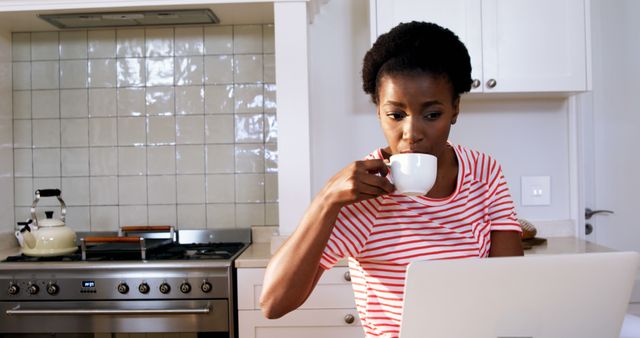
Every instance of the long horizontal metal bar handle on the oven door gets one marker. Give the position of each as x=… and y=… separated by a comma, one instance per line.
x=177, y=311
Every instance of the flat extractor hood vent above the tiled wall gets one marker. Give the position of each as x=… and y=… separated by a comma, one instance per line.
x=138, y=18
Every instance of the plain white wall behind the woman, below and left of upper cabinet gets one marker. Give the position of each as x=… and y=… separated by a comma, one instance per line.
x=528, y=136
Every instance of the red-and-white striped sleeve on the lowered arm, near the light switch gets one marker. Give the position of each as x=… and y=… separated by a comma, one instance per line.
x=502, y=211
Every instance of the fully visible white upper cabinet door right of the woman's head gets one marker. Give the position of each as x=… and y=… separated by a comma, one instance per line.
x=534, y=45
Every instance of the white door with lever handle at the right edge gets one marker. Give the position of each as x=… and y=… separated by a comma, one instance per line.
x=611, y=125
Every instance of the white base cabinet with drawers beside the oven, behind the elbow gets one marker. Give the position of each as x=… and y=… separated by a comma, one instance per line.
x=330, y=310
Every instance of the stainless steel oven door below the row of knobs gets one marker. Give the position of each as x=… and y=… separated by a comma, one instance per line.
x=115, y=316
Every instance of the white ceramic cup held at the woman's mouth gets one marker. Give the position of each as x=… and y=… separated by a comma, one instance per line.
x=413, y=174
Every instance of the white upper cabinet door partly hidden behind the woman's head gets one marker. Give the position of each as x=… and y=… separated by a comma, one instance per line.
x=460, y=16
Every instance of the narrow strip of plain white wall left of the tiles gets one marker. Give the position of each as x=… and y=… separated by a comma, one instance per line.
x=6, y=136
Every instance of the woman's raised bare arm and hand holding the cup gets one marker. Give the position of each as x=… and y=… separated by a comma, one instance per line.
x=294, y=269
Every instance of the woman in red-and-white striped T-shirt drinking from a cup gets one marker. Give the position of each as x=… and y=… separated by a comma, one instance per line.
x=415, y=75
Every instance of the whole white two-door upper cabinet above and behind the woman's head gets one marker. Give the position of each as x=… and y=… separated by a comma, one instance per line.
x=515, y=46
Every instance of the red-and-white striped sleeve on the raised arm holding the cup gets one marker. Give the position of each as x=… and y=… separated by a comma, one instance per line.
x=349, y=235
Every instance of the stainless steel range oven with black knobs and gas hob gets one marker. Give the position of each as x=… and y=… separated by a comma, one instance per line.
x=185, y=286
